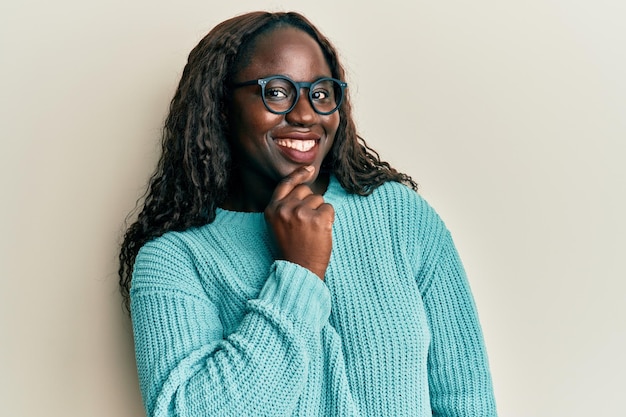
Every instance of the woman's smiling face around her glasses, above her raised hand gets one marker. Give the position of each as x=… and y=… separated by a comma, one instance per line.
x=266, y=146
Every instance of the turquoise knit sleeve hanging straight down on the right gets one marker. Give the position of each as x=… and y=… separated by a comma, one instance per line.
x=459, y=378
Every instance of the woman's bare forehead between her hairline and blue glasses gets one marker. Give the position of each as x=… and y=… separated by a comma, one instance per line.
x=285, y=51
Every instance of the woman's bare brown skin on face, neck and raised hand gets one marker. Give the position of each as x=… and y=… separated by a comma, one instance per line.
x=284, y=184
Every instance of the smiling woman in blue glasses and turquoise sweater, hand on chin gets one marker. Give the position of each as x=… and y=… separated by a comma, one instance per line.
x=278, y=267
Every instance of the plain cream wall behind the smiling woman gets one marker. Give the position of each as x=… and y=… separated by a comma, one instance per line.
x=511, y=115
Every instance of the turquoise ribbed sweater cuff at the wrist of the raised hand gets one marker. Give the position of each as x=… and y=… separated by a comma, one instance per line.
x=298, y=292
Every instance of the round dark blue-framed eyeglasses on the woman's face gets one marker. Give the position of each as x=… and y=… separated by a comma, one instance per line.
x=280, y=93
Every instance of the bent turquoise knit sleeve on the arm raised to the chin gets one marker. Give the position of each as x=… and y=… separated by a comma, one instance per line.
x=187, y=366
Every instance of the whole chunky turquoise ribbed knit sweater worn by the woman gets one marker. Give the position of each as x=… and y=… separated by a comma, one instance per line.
x=222, y=328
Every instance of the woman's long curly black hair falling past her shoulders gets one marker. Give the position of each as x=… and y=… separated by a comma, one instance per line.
x=193, y=172
